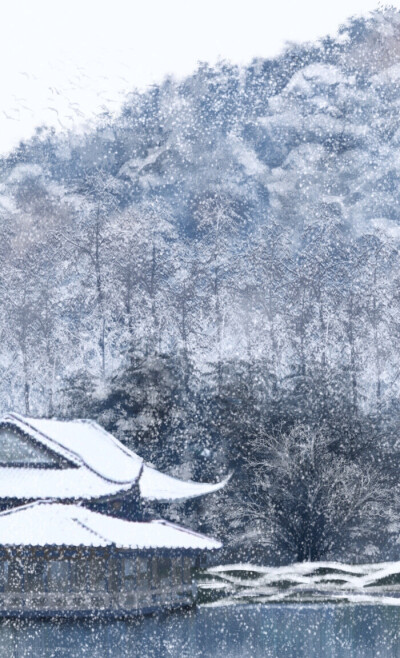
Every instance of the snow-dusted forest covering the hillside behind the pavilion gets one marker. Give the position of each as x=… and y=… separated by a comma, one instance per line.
x=216, y=271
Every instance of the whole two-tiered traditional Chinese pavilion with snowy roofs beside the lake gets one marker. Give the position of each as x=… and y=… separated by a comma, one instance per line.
x=58, y=554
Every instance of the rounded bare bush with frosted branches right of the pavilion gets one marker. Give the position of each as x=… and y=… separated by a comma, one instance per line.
x=304, y=497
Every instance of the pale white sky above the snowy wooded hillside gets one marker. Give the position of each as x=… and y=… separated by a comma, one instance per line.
x=64, y=61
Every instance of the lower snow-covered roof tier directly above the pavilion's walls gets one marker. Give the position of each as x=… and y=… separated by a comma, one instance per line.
x=46, y=523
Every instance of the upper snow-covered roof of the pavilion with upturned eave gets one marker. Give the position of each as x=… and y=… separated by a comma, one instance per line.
x=101, y=466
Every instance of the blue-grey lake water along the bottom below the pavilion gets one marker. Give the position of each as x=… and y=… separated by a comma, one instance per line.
x=270, y=631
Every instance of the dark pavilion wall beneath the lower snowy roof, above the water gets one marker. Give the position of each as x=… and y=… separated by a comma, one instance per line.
x=92, y=581
